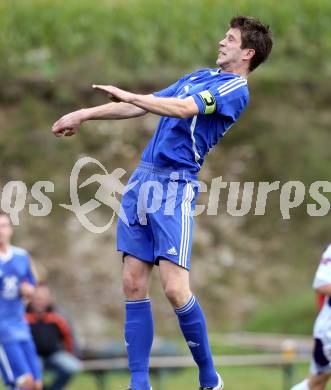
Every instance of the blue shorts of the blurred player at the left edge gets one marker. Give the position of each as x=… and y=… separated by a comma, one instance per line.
x=19, y=358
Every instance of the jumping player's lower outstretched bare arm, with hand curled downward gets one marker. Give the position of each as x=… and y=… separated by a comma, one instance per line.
x=69, y=124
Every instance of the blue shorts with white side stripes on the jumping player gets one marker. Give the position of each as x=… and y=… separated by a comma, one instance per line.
x=157, y=215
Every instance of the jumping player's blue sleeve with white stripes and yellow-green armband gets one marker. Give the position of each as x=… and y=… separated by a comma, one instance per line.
x=228, y=99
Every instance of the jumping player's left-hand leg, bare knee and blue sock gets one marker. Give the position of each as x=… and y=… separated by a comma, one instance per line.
x=139, y=328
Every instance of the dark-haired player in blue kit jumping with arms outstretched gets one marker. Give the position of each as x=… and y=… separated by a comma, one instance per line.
x=196, y=112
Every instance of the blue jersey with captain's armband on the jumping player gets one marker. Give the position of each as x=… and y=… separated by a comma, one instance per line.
x=183, y=143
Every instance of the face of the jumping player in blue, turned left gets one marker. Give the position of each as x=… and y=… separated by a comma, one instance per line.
x=230, y=53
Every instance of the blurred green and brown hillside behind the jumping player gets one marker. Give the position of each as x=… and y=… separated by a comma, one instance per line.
x=256, y=269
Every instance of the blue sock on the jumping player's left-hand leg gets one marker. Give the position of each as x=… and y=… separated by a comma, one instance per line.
x=139, y=332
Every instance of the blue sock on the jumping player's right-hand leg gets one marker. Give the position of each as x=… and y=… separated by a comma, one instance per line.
x=193, y=324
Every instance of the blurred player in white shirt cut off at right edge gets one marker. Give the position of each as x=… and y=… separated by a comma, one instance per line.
x=320, y=369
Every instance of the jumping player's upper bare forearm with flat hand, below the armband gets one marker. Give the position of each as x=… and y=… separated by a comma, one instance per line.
x=173, y=107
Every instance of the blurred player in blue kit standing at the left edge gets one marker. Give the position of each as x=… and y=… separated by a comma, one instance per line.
x=19, y=362
